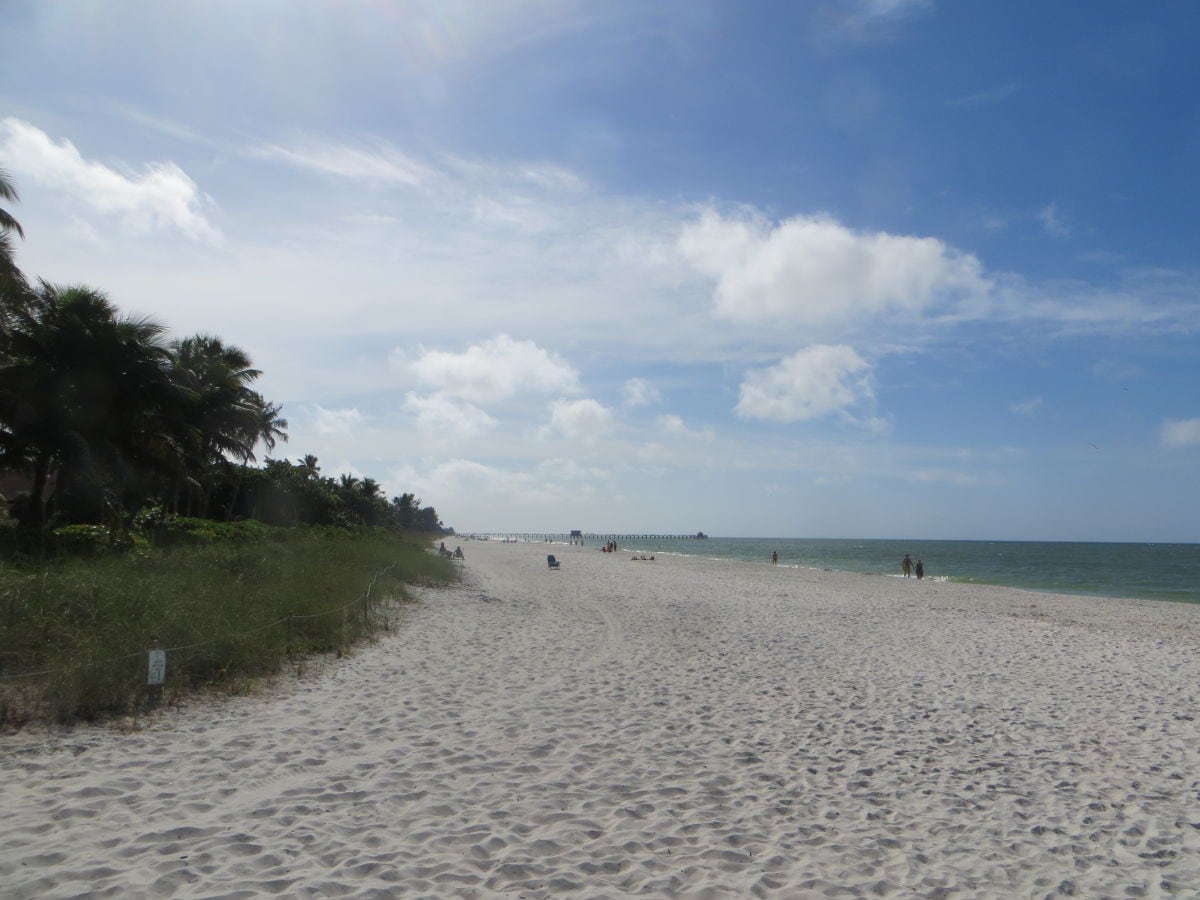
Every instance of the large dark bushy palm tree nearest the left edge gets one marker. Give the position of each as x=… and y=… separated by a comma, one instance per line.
x=87, y=394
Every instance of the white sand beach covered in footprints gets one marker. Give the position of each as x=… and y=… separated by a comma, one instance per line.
x=677, y=728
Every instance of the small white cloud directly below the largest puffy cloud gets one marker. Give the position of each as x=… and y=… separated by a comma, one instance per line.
x=809, y=385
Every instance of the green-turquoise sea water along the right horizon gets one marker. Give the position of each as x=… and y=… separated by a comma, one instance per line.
x=1151, y=572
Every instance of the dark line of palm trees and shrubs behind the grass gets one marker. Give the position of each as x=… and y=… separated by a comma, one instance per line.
x=109, y=417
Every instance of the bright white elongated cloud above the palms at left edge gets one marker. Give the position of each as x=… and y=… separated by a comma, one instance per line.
x=161, y=196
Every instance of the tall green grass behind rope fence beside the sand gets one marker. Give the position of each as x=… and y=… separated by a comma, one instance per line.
x=75, y=634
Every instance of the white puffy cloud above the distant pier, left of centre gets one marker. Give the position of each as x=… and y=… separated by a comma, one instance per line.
x=496, y=370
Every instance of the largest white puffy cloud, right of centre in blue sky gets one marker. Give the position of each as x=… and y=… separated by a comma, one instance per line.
x=815, y=269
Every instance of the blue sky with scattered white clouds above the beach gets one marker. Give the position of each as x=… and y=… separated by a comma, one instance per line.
x=813, y=269
